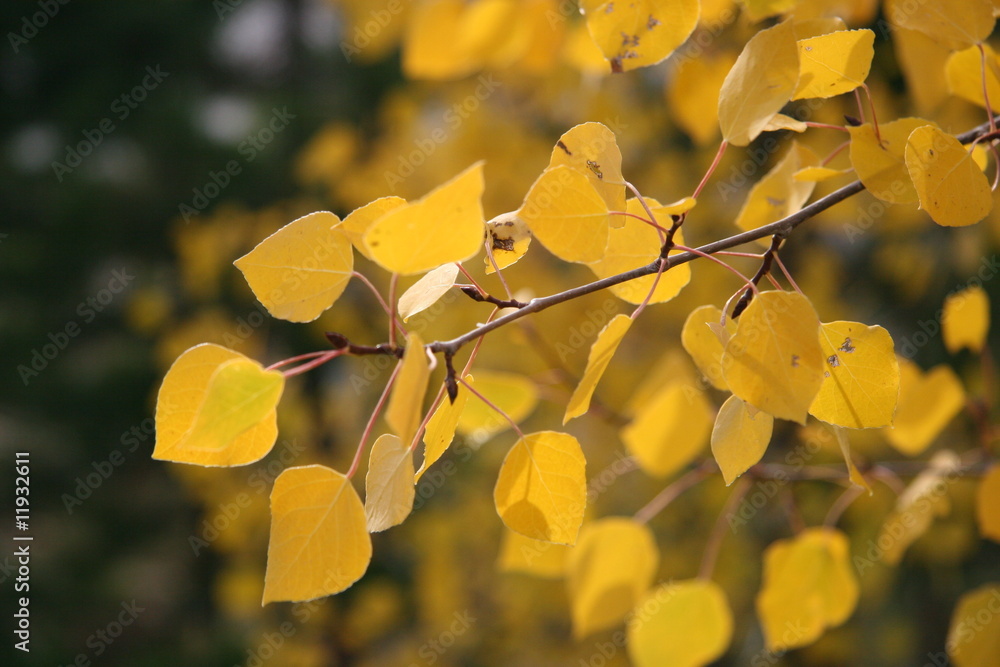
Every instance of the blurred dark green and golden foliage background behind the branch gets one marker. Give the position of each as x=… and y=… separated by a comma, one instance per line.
x=145, y=146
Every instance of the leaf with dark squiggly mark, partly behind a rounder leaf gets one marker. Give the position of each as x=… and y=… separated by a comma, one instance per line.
x=592, y=150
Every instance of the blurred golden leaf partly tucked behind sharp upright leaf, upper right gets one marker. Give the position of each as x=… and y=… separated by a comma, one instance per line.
x=693, y=95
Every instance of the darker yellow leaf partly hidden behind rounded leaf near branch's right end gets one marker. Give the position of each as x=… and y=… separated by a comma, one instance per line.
x=881, y=167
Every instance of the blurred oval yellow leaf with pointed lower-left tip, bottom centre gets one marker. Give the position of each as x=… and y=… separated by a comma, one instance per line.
x=610, y=569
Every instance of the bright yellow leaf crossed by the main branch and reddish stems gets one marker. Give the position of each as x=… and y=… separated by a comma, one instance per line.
x=636, y=244
